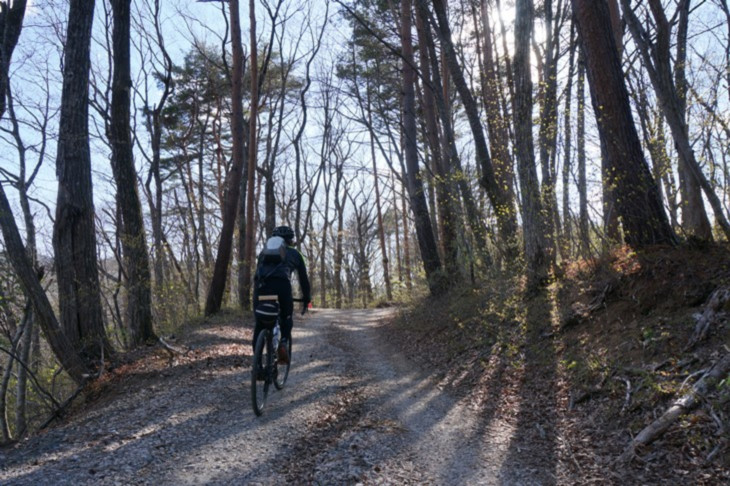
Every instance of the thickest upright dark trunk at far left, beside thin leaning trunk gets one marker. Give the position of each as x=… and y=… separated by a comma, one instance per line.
x=74, y=235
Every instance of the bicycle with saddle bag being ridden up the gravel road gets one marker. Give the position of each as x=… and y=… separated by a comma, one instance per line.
x=265, y=369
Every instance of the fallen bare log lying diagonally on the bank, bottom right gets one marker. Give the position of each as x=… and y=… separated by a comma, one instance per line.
x=689, y=401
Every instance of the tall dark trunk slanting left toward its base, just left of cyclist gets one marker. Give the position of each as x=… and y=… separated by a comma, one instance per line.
x=233, y=179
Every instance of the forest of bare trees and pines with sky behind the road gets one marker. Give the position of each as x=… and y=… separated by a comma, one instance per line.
x=417, y=148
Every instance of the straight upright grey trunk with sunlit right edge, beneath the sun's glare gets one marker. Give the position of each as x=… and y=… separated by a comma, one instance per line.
x=533, y=220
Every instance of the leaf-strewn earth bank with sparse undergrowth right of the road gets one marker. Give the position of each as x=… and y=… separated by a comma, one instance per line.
x=606, y=342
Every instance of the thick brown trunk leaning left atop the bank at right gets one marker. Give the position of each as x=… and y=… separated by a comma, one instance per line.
x=637, y=197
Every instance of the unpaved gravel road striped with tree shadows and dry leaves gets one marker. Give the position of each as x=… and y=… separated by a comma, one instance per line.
x=353, y=411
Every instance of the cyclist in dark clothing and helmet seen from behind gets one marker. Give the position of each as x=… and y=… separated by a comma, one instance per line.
x=274, y=279
